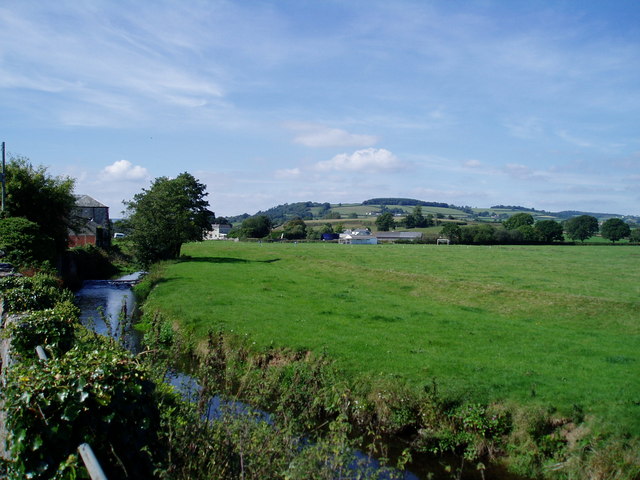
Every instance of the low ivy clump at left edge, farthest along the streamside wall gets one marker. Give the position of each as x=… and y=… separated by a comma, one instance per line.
x=32, y=293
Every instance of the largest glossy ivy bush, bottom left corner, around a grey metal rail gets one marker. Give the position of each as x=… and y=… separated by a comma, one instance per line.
x=96, y=393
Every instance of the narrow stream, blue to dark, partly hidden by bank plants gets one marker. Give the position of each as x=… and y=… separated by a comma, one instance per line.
x=107, y=305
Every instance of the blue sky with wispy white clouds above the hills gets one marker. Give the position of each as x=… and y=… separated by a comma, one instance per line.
x=533, y=103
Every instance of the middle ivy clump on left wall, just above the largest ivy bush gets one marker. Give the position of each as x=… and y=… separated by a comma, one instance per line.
x=52, y=328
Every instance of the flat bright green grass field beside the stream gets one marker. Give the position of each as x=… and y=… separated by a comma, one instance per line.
x=555, y=327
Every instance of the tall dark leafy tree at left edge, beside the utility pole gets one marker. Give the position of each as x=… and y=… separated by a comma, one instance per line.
x=35, y=195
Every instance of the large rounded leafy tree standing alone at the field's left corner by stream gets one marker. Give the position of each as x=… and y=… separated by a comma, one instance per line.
x=171, y=212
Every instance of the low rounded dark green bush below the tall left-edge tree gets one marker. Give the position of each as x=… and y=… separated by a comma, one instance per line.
x=24, y=244
